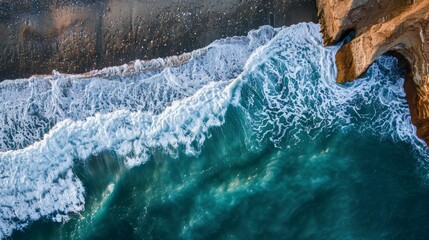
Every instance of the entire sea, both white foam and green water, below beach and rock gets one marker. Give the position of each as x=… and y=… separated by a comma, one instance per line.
x=248, y=138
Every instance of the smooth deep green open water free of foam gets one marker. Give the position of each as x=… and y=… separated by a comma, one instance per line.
x=346, y=186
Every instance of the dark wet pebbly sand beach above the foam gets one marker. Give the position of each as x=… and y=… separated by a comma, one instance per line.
x=38, y=36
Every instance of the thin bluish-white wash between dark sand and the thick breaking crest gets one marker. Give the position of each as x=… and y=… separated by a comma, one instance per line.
x=30, y=107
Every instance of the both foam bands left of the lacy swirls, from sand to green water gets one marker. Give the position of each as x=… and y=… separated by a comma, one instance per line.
x=130, y=109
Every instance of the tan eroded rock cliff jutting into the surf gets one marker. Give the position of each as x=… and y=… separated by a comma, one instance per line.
x=397, y=26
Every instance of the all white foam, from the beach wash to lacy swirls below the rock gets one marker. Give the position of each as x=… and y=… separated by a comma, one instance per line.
x=280, y=81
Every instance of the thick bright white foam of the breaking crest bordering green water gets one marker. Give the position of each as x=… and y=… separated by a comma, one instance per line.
x=37, y=181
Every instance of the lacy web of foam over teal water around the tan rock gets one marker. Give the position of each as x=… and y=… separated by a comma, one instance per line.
x=292, y=91
